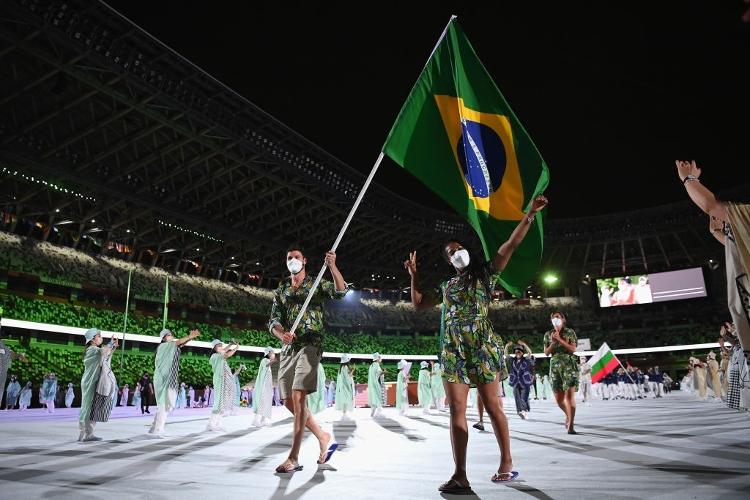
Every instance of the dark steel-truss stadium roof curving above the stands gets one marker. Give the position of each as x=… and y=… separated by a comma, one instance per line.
x=108, y=131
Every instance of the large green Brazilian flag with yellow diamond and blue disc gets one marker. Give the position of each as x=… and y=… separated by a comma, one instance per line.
x=457, y=134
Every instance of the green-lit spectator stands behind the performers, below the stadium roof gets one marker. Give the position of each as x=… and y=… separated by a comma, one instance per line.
x=52, y=284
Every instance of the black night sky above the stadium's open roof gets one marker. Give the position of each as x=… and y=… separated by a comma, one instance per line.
x=611, y=93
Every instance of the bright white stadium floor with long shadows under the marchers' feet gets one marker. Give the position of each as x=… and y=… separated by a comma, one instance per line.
x=676, y=447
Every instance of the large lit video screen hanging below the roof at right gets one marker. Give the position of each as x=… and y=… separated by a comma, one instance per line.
x=648, y=288
